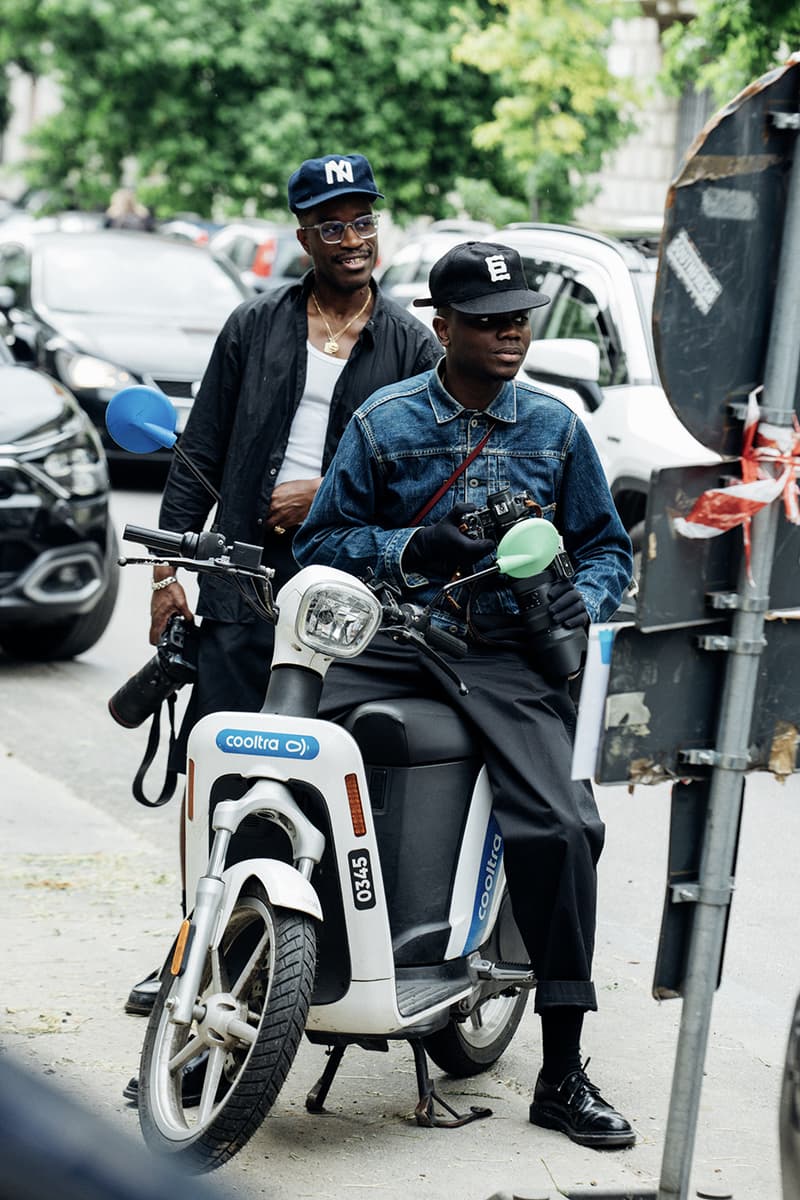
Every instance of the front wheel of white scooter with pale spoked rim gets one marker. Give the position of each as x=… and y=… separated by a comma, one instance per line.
x=206, y=1089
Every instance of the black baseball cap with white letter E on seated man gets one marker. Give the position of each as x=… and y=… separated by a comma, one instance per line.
x=482, y=278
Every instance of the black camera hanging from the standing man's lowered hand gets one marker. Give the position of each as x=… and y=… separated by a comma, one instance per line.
x=173, y=665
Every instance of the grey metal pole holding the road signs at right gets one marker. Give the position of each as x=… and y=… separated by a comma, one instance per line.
x=733, y=731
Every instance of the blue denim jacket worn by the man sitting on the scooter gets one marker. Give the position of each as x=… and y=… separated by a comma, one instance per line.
x=408, y=439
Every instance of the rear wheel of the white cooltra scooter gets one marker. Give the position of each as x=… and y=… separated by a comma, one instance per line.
x=466, y=1048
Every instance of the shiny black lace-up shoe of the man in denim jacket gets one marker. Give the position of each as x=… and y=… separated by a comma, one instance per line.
x=576, y=1108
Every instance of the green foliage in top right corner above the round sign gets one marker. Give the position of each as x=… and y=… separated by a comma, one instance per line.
x=730, y=44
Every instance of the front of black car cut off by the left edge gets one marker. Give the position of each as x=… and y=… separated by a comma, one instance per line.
x=58, y=553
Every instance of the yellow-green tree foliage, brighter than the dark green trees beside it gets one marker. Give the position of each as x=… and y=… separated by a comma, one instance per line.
x=561, y=109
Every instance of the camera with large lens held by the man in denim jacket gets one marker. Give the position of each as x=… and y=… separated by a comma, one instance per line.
x=557, y=651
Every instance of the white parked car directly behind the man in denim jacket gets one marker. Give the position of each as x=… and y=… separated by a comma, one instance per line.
x=593, y=349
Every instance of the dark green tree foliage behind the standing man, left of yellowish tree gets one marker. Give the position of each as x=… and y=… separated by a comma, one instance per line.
x=216, y=101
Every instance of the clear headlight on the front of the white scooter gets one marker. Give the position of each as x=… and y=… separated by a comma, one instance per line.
x=336, y=620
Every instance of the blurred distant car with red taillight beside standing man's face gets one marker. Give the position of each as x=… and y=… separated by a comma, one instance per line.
x=266, y=254
